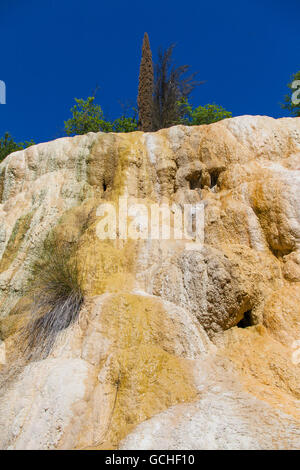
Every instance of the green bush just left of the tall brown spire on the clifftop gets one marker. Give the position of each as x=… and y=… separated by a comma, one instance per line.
x=87, y=116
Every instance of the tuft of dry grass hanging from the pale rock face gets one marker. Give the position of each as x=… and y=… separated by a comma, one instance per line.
x=56, y=299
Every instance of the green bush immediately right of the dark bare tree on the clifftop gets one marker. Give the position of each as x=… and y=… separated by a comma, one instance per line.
x=202, y=114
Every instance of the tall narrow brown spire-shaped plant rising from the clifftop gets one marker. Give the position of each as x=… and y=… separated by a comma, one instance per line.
x=145, y=98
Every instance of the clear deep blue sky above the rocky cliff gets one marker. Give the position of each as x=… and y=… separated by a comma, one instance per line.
x=55, y=50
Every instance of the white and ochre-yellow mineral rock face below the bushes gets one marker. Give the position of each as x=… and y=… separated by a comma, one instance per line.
x=177, y=344
